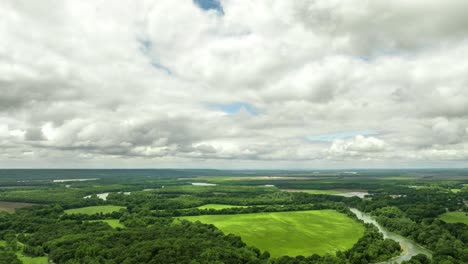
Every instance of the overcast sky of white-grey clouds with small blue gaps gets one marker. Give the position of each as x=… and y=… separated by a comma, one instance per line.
x=234, y=83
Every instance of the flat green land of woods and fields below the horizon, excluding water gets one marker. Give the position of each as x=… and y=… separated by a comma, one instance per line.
x=268, y=217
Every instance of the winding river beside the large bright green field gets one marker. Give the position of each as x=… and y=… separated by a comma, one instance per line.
x=410, y=248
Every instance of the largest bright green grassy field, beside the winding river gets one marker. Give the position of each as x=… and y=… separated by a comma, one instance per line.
x=290, y=233
